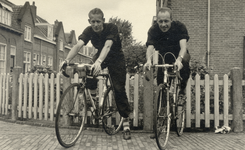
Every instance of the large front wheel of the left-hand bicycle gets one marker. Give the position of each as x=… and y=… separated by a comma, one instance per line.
x=70, y=116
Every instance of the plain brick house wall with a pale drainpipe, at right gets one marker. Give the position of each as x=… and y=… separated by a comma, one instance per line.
x=216, y=29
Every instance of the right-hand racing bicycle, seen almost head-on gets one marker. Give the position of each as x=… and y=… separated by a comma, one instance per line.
x=167, y=106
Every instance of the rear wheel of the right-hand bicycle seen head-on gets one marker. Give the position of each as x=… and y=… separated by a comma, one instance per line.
x=180, y=110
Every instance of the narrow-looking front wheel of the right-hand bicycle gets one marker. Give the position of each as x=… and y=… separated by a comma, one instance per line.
x=161, y=120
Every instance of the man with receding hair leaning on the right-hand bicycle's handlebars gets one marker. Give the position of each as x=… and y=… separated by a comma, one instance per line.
x=169, y=36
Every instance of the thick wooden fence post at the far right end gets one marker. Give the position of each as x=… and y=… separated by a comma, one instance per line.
x=237, y=123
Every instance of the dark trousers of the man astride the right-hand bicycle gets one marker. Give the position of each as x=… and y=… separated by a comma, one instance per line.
x=184, y=73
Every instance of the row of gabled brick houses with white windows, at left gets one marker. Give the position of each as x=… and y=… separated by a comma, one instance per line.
x=27, y=40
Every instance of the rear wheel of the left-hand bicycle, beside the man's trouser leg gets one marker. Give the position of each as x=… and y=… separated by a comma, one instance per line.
x=111, y=121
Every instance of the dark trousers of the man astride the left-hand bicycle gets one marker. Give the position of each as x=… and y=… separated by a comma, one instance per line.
x=117, y=71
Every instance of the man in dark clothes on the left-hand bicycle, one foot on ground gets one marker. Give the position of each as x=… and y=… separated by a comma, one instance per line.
x=105, y=38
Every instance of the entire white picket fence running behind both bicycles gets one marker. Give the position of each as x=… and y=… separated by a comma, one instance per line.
x=38, y=99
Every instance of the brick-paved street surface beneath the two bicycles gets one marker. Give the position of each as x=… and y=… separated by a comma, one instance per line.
x=27, y=137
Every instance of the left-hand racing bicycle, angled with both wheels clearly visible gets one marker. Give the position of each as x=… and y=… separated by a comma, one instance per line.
x=76, y=101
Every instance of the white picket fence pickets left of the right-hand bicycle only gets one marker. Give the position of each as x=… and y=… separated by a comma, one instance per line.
x=38, y=99
